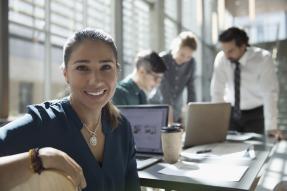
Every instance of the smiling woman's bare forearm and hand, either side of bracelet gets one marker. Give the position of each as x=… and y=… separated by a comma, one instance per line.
x=16, y=169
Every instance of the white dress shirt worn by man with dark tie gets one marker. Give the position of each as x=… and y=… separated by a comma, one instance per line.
x=259, y=83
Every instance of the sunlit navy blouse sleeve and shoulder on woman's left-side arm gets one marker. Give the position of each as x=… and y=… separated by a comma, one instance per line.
x=34, y=128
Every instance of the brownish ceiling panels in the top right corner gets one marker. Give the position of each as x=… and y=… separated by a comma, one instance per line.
x=240, y=7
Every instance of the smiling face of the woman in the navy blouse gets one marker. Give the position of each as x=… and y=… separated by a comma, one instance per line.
x=91, y=73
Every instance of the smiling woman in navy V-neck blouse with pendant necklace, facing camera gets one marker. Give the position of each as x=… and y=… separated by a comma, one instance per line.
x=75, y=135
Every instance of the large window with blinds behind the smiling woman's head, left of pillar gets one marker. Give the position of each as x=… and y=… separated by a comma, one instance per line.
x=27, y=27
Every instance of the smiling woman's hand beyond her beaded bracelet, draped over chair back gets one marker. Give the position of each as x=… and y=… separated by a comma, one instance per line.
x=58, y=160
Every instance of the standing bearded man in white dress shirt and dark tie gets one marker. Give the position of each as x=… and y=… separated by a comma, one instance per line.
x=258, y=85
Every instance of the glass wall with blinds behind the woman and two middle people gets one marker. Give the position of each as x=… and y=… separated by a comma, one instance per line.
x=38, y=29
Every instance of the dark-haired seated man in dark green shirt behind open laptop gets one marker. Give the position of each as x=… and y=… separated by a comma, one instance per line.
x=133, y=90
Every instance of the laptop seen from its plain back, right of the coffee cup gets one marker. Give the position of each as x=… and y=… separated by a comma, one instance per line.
x=206, y=122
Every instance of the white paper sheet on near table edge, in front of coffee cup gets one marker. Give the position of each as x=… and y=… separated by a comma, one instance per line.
x=212, y=172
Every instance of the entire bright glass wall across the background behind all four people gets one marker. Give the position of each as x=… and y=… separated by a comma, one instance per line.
x=38, y=29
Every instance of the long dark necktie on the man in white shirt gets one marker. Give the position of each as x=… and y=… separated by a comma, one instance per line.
x=236, y=111
